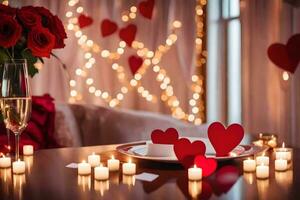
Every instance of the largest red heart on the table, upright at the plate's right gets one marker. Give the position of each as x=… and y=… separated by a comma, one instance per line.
x=225, y=140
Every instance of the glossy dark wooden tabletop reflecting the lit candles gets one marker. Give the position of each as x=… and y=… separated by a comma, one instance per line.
x=48, y=178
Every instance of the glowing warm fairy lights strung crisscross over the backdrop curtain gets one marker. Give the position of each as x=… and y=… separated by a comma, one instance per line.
x=151, y=58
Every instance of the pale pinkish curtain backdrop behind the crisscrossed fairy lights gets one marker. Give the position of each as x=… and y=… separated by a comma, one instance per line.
x=178, y=62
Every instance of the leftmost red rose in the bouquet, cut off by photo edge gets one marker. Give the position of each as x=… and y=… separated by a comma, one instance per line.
x=10, y=31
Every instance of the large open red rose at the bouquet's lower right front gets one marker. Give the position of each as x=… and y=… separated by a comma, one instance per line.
x=40, y=41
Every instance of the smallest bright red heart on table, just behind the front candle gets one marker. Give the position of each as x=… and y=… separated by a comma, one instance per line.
x=208, y=165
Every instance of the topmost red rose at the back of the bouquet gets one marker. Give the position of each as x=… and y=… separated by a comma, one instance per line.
x=28, y=17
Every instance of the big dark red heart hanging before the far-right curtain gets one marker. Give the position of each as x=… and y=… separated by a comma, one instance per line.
x=286, y=57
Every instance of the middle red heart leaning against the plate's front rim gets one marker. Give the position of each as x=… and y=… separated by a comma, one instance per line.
x=186, y=151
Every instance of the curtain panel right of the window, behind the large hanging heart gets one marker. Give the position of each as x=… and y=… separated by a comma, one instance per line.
x=270, y=104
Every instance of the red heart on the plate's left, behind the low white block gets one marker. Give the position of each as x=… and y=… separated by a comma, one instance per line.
x=170, y=136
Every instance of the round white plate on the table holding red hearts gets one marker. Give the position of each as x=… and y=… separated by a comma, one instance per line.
x=139, y=150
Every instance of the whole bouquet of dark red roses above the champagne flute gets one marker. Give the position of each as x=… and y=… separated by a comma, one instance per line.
x=29, y=33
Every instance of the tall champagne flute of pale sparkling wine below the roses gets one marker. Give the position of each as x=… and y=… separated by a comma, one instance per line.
x=15, y=98
